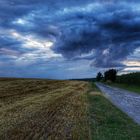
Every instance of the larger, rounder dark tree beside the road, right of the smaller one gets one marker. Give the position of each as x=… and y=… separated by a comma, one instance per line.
x=110, y=75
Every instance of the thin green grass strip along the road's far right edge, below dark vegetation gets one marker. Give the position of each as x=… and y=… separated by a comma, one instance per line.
x=133, y=88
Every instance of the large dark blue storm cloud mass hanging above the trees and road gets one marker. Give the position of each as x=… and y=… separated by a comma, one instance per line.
x=111, y=31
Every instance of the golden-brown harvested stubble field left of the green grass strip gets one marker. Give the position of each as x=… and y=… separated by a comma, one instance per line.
x=43, y=109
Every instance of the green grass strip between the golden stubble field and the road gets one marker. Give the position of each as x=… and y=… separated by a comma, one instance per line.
x=107, y=122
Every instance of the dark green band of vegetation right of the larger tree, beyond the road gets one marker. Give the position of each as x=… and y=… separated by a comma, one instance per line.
x=131, y=78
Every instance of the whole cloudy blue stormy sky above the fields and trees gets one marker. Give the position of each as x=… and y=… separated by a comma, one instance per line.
x=64, y=39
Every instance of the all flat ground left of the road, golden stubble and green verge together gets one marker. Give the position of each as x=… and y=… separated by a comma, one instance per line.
x=60, y=110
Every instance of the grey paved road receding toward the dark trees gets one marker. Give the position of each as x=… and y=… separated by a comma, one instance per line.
x=128, y=102
